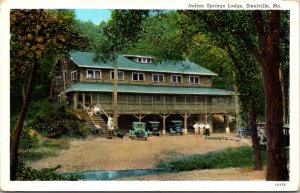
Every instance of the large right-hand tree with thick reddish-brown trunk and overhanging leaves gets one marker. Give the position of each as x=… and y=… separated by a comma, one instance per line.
x=263, y=44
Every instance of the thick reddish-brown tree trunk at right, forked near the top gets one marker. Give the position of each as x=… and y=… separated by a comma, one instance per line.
x=268, y=55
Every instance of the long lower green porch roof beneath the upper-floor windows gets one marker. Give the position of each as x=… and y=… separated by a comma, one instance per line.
x=146, y=89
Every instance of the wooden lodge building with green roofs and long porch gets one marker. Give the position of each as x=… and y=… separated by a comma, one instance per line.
x=145, y=91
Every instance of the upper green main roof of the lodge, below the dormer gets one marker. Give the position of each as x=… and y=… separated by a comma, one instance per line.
x=86, y=59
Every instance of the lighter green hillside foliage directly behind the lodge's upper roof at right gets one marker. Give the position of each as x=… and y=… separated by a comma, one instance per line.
x=162, y=38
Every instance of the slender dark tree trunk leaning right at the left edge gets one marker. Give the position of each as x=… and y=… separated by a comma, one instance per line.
x=18, y=130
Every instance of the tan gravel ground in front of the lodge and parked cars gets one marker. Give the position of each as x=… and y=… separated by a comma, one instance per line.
x=121, y=154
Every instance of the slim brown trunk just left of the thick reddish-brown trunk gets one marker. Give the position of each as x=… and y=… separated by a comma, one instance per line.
x=254, y=137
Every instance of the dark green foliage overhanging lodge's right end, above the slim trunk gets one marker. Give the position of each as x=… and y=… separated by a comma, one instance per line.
x=231, y=32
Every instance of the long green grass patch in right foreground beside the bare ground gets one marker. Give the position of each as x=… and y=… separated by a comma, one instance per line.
x=229, y=157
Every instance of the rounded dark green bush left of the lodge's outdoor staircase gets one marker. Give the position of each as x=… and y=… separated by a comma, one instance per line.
x=55, y=121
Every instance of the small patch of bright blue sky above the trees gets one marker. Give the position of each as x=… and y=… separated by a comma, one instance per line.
x=93, y=15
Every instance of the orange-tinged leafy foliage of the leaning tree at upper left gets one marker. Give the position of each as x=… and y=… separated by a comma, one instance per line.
x=38, y=35
